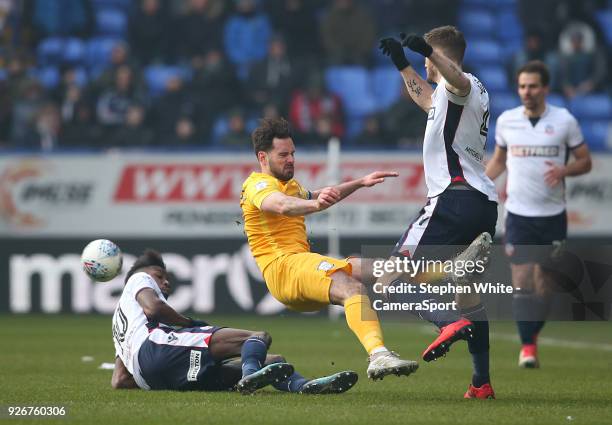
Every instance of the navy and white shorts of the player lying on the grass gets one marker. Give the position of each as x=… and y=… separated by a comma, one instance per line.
x=172, y=359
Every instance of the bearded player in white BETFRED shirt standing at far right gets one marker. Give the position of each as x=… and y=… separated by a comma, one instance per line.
x=534, y=142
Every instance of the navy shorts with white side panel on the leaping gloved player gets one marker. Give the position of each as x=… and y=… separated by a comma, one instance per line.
x=447, y=223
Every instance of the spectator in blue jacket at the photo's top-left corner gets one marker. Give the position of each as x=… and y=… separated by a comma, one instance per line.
x=45, y=18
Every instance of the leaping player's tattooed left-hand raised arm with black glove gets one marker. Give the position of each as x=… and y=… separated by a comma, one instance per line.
x=420, y=91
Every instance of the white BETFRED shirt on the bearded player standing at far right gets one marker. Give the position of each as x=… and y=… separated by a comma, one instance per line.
x=529, y=147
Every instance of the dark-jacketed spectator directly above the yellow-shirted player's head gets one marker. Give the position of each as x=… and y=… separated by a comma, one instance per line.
x=271, y=79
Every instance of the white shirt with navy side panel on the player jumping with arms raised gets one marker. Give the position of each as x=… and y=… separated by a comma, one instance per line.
x=455, y=138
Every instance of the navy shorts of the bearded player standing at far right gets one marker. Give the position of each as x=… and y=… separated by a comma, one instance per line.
x=530, y=239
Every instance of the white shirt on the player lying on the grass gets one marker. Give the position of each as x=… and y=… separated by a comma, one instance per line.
x=130, y=324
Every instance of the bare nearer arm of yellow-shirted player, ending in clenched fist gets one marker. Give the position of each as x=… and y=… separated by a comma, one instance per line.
x=279, y=203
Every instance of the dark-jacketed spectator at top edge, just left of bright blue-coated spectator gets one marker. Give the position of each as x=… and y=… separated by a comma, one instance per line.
x=199, y=30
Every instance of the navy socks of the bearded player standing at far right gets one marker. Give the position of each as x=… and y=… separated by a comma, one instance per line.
x=530, y=312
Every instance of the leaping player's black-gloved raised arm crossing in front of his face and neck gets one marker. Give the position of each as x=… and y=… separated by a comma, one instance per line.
x=456, y=81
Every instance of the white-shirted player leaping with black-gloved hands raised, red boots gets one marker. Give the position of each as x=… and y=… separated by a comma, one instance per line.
x=462, y=201
